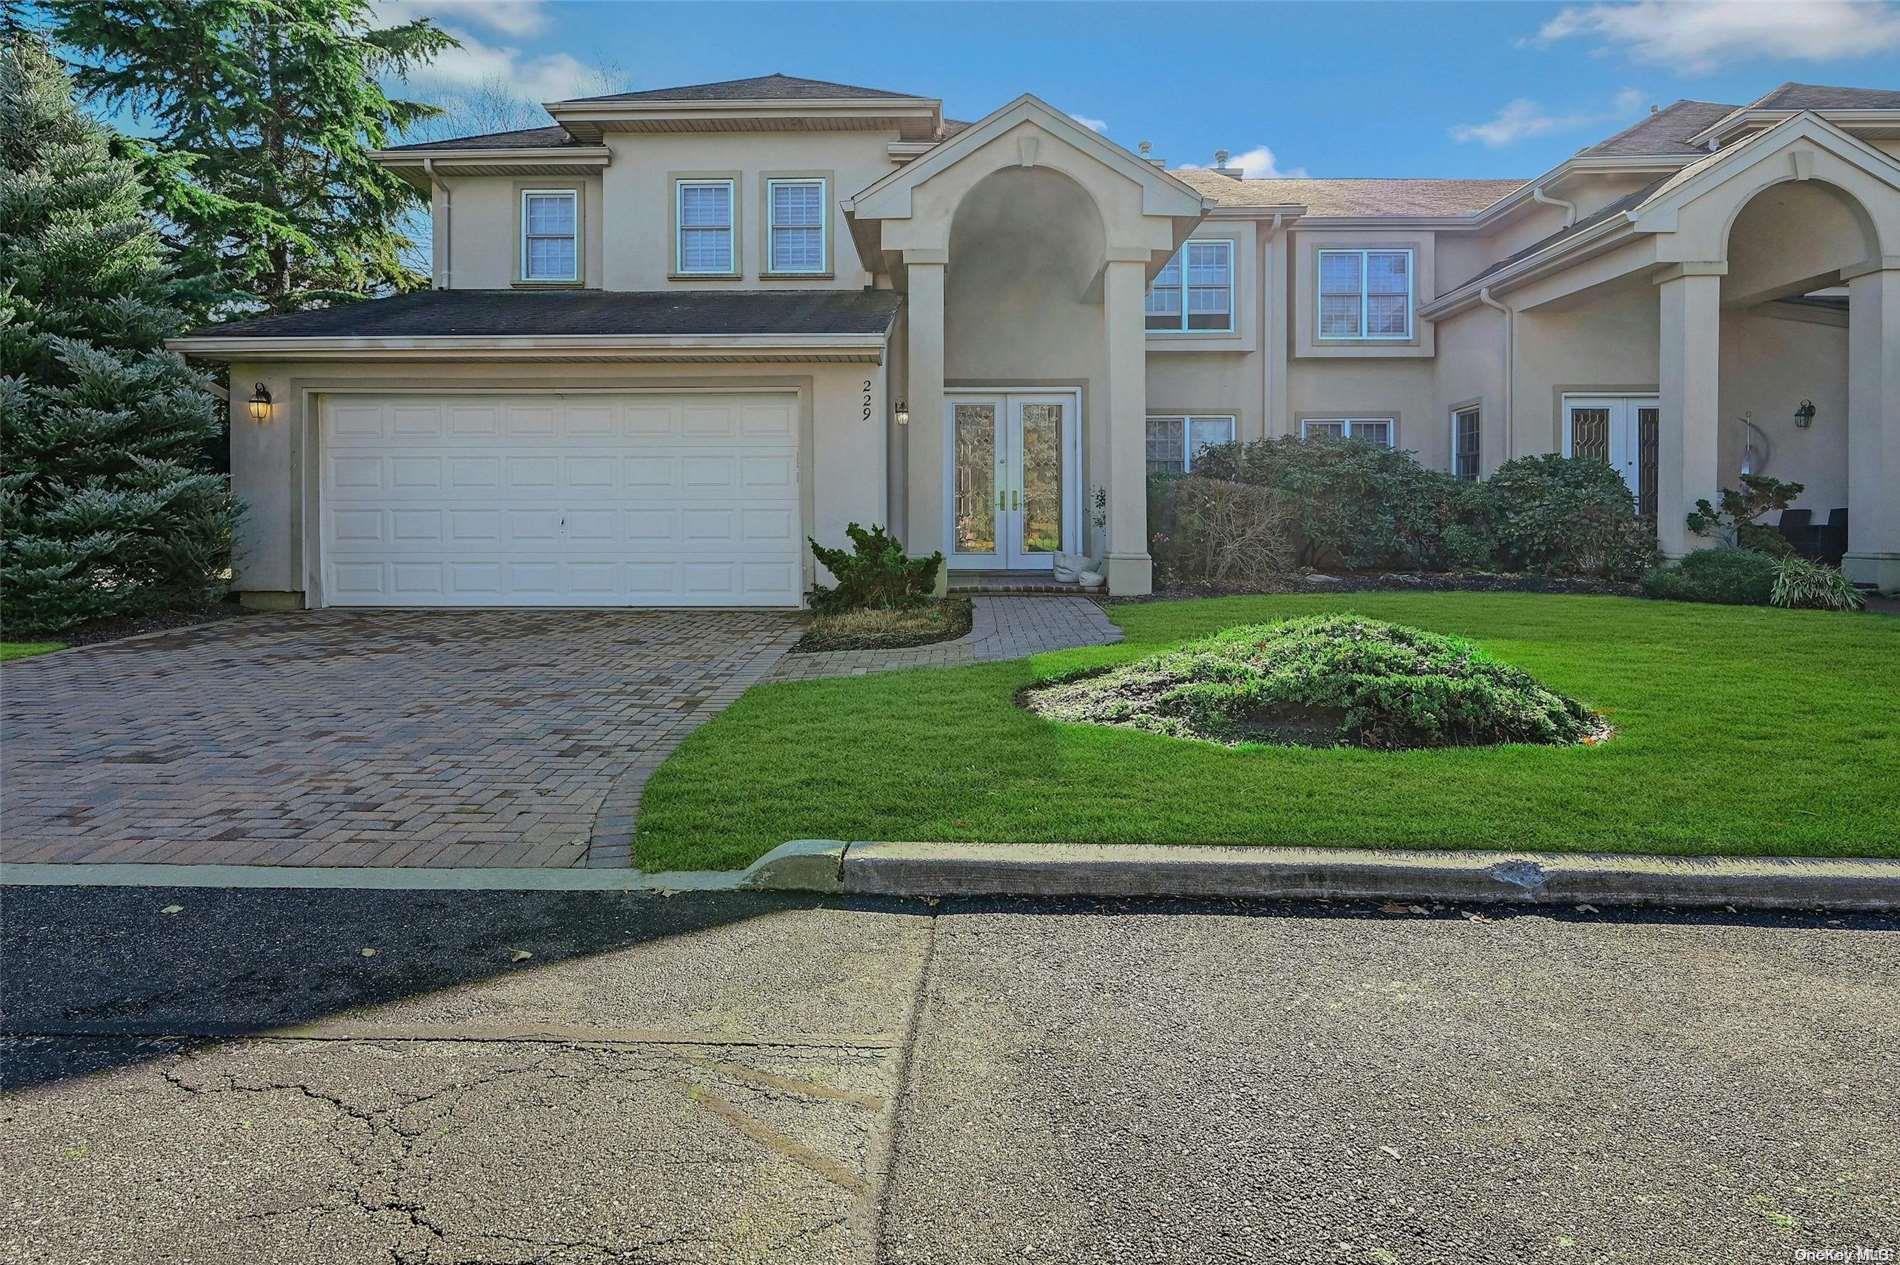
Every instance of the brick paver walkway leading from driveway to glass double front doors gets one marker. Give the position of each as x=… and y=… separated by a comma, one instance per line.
x=1002, y=628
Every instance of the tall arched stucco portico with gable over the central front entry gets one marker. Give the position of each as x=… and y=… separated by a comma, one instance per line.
x=1027, y=246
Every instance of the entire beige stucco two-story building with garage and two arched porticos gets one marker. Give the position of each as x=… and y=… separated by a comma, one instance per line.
x=683, y=330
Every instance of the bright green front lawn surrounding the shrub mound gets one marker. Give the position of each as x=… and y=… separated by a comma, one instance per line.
x=1739, y=730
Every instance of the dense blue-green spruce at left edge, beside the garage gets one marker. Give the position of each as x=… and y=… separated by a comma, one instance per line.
x=105, y=504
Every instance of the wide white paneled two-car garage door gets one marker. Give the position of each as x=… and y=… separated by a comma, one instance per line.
x=561, y=500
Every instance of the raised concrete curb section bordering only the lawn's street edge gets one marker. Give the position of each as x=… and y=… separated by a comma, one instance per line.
x=1327, y=875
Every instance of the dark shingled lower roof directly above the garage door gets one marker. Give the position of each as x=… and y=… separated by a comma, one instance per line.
x=504, y=314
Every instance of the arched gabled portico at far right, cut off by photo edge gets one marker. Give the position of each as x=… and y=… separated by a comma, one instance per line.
x=1796, y=210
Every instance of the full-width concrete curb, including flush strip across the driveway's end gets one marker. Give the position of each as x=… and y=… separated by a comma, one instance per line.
x=1126, y=871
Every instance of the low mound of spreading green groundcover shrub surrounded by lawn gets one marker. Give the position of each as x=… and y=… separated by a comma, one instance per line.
x=1325, y=681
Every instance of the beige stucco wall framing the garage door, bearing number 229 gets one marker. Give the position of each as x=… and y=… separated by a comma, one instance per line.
x=843, y=468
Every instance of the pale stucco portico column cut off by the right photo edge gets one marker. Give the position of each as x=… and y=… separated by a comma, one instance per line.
x=1872, y=423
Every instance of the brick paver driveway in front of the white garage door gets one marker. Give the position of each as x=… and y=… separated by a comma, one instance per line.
x=366, y=738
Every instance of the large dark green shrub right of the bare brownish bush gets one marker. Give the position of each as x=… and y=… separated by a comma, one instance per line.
x=1356, y=504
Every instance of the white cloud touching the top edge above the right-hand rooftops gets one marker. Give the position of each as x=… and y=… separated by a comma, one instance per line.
x=1703, y=35
